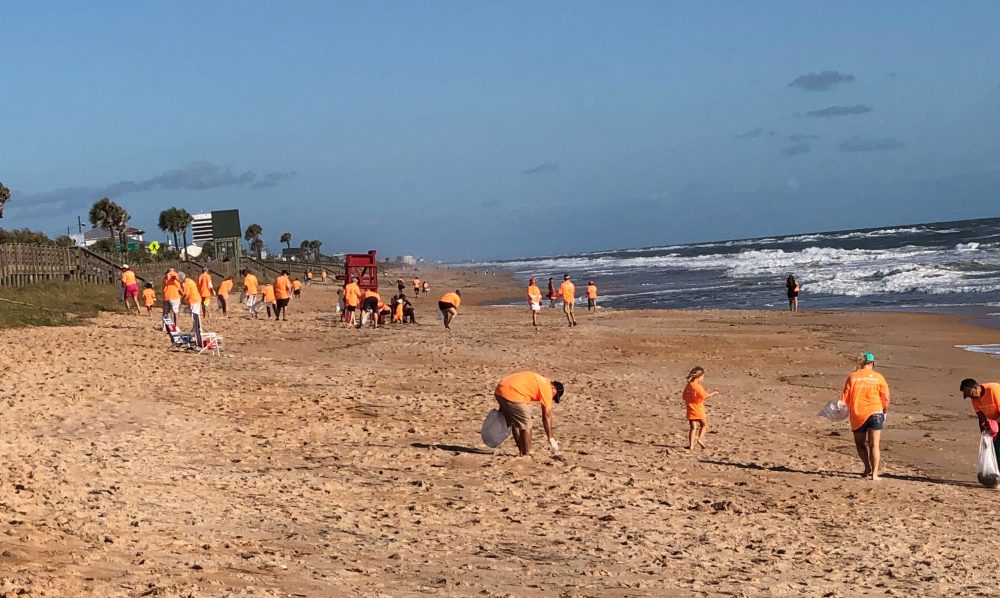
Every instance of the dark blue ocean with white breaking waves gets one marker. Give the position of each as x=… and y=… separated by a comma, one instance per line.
x=943, y=267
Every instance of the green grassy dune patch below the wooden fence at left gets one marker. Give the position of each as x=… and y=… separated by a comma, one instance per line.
x=55, y=304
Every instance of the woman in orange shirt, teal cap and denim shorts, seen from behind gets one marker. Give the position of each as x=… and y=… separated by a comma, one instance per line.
x=866, y=394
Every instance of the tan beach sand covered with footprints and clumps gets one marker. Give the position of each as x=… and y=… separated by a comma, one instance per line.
x=314, y=460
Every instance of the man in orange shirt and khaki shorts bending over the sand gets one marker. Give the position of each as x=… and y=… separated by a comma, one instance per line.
x=515, y=393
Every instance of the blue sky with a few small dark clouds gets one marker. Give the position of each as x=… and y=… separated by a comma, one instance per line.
x=453, y=130
